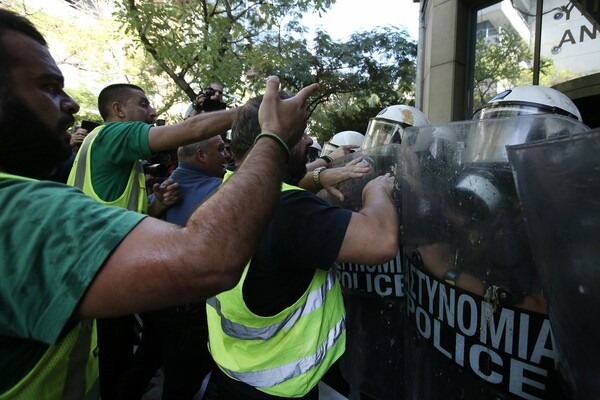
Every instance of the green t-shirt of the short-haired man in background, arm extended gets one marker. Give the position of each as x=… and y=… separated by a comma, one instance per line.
x=114, y=151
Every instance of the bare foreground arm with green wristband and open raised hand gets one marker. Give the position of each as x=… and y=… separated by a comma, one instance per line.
x=159, y=264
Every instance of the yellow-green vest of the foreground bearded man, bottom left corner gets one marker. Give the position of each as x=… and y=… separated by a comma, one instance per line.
x=67, y=370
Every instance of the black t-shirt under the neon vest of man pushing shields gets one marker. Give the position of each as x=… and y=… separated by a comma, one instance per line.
x=305, y=233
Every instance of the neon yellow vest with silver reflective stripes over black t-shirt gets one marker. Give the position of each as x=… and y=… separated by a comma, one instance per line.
x=286, y=354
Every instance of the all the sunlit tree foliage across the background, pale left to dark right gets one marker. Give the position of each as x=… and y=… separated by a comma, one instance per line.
x=174, y=49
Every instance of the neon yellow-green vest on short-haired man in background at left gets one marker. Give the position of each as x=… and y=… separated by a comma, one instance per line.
x=134, y=196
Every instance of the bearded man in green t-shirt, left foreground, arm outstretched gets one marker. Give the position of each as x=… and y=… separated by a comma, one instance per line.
x=65, y=259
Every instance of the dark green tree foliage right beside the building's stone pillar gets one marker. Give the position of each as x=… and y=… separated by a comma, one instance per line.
x=358, y=78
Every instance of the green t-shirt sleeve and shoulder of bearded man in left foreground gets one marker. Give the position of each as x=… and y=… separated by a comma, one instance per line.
x=53, y=240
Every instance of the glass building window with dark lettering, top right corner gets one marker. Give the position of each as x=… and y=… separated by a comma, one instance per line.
x=505, y=39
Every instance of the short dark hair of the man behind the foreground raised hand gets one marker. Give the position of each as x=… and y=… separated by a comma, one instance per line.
x=245, y=127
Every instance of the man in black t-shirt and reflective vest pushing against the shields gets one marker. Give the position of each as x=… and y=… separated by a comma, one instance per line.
x=278, y=331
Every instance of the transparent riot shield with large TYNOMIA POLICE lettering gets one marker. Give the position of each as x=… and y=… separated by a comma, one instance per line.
x=477, y=325
